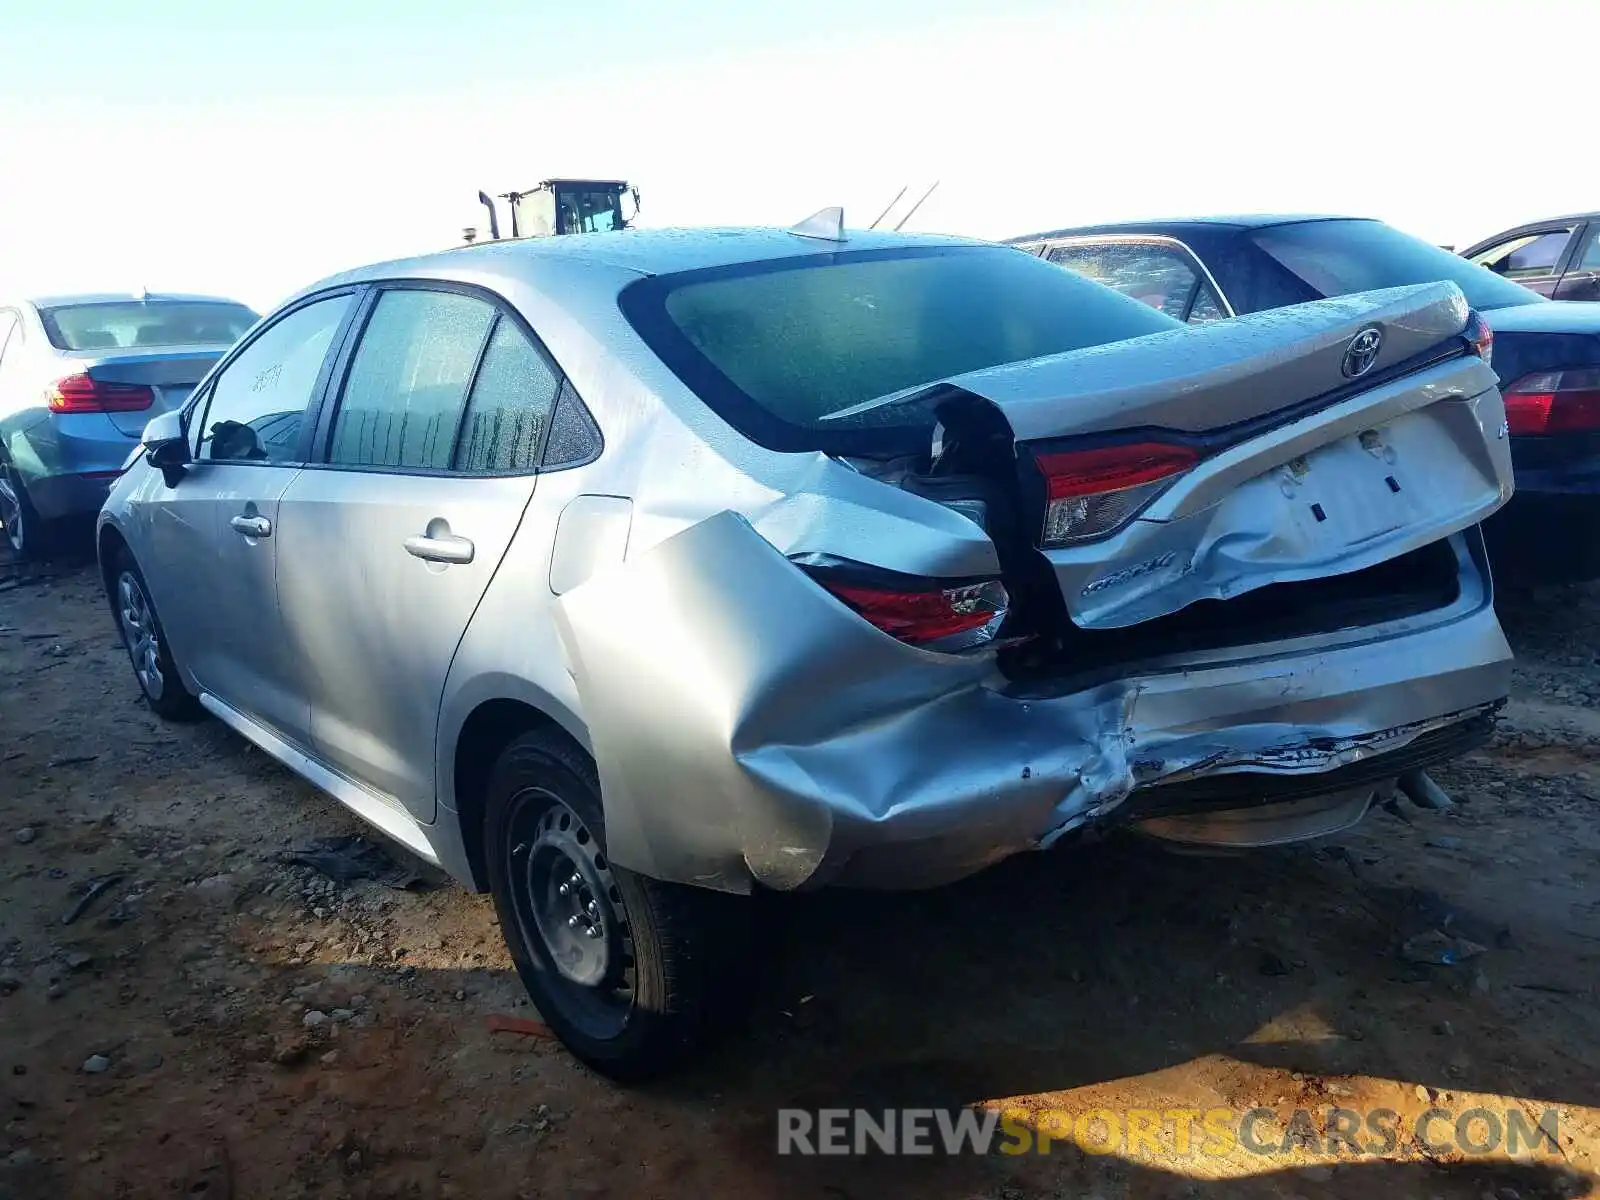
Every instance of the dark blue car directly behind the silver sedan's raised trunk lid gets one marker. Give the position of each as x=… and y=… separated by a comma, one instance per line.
x=1546, y=354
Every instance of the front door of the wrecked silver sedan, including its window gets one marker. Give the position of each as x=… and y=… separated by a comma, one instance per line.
x=249, y=446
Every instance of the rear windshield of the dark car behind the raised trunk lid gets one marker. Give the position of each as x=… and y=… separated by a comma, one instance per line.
x=1337, y=258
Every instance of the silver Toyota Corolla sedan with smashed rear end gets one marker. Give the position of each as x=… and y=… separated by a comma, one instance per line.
x=626, y=575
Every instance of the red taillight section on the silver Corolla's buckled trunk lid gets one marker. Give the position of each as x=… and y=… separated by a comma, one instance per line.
x=1095, y=492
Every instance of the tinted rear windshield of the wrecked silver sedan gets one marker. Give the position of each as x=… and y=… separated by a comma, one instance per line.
x=778, y=346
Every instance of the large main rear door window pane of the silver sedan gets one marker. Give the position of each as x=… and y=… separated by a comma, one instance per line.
x=407, y=386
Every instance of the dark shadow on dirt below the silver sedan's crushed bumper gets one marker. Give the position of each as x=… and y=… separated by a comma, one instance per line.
x=1102, y=964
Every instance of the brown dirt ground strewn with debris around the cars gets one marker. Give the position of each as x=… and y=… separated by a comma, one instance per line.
x=265, y=1033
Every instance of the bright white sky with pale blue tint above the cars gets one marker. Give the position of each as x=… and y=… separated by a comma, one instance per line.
x=249, y=148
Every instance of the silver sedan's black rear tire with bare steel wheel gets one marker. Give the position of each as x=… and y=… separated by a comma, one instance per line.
x=666, y=959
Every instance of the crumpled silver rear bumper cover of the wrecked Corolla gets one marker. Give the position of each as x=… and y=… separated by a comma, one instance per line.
x=751, y=730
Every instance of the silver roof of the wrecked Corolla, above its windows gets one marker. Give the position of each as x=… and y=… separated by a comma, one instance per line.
x=642, y=252
